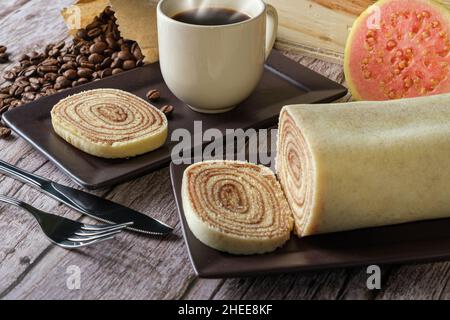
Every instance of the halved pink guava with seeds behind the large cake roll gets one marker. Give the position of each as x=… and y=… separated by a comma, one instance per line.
x=399, y=49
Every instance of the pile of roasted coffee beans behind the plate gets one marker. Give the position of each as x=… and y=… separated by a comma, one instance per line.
x=98, y=51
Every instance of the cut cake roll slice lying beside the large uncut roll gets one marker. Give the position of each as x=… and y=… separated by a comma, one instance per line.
x=236, y=207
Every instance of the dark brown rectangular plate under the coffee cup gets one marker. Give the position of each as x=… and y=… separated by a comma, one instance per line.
x=284, y=82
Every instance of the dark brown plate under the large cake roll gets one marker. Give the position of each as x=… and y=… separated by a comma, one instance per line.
x=423, y=241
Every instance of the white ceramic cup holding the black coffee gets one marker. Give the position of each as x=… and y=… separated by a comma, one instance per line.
x=214, y=68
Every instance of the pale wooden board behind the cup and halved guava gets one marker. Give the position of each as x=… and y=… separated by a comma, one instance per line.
x=319, y=28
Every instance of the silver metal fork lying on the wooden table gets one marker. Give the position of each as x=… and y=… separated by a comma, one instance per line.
x=67, y=233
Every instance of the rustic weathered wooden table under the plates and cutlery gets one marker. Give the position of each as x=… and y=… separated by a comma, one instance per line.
x=138, y=267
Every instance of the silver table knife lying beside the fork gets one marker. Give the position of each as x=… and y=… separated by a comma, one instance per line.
x=89, y=204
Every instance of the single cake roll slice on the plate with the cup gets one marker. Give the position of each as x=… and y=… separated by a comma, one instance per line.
x=109, y=123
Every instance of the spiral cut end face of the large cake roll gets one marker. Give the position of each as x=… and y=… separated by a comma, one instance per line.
x=295, y=170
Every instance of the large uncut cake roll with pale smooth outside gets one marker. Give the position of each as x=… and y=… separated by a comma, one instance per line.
x=365, y=164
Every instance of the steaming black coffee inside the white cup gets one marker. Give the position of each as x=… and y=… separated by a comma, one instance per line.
x=211, y=16
